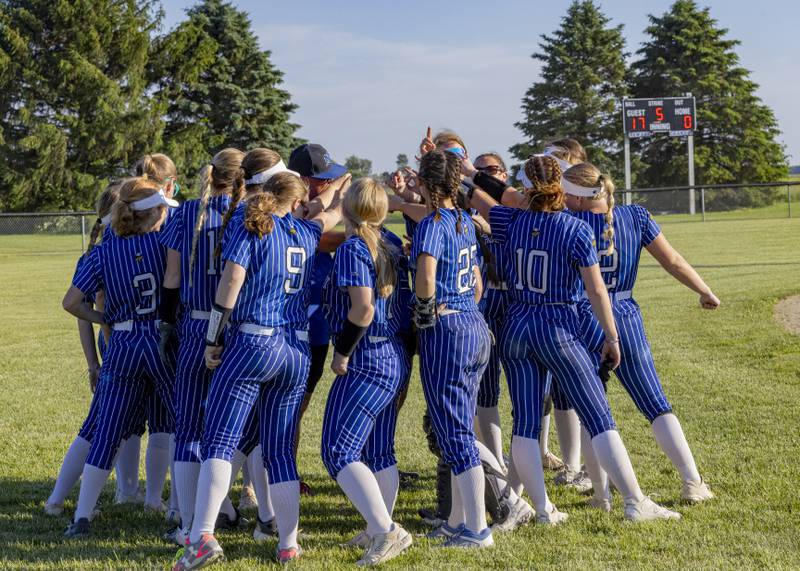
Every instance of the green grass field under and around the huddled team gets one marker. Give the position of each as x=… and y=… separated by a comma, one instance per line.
x=731, y=375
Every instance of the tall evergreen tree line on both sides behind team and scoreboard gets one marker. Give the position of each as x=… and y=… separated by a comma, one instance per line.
x=88, y=87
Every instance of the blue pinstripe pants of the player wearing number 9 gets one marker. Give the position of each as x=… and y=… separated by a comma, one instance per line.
x=268, y=371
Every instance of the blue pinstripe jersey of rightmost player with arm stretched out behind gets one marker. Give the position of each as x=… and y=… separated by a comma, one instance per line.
x=634, y=228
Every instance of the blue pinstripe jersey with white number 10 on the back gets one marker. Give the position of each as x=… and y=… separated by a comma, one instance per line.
x=542, y=253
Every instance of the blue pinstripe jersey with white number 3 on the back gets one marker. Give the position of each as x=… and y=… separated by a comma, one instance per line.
x=130, y=271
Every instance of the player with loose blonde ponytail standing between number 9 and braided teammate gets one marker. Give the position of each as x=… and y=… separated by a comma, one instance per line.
x=360, y=298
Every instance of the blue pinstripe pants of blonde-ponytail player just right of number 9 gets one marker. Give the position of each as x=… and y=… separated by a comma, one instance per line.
x=362, y=408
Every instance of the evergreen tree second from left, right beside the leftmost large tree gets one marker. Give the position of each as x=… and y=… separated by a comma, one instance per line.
x=220, y=88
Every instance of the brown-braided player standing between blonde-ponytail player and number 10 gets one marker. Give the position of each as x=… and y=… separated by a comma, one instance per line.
x=454, y=340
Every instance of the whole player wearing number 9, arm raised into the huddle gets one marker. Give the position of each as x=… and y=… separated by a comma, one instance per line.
x=267, y=254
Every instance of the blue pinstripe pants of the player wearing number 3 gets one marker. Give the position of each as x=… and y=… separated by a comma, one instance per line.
x=131, y=368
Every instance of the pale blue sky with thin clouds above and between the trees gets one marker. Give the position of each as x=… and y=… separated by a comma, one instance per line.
x=369, y=76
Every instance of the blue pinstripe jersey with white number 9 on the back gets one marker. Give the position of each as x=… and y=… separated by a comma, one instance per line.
x=277, y=267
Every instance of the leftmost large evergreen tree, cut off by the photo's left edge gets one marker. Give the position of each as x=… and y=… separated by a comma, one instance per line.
x=73, y=104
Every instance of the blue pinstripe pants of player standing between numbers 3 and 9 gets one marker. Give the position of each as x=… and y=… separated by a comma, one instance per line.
x=192, y=381
